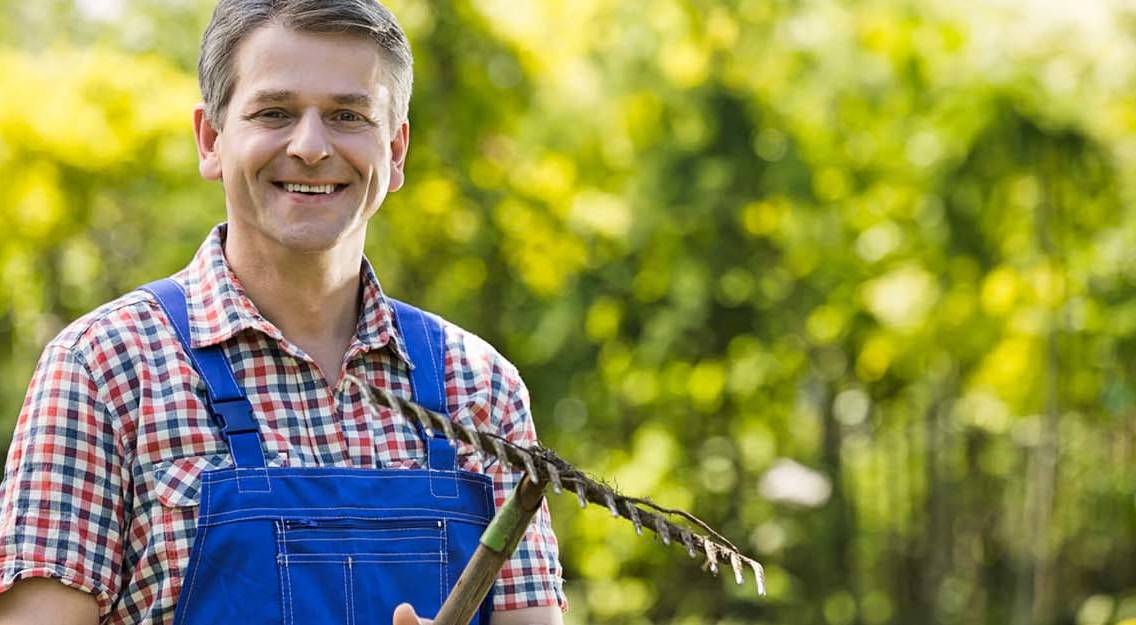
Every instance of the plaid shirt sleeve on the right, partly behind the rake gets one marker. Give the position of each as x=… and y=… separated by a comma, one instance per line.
x=533, y=576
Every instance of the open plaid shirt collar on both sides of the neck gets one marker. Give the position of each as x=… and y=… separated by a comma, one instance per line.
x=220, y=310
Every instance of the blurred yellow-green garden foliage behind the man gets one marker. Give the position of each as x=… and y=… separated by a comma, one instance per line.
x=853, y=281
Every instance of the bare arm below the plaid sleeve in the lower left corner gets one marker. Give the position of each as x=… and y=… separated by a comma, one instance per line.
x=39, y=601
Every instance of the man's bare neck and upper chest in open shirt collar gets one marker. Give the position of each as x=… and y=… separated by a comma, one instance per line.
x=312, y=298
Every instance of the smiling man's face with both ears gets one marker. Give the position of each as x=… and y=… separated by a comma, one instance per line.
x=307, y=153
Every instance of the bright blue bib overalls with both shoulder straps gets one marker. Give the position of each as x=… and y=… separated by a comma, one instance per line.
x=327, y=546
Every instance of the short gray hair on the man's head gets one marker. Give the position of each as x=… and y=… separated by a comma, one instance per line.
x=236, y=20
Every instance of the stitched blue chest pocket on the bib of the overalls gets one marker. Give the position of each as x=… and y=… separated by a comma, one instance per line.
x=356, y=571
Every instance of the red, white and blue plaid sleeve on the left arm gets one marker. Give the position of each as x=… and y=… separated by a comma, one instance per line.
x=62, y=497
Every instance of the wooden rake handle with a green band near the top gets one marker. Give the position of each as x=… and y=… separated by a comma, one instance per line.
x=498, y=544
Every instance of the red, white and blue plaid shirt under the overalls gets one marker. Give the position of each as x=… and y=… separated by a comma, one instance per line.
x=102, y=484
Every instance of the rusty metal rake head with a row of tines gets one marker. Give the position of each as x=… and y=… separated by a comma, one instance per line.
x=544, y=464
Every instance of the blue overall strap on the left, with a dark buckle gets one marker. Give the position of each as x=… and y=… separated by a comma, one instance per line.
x=228, y=404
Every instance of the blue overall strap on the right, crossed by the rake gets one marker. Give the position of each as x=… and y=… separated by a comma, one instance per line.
x=424, y=339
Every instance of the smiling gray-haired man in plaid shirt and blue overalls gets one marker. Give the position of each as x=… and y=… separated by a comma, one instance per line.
x=122, y=454
